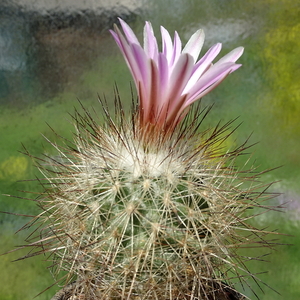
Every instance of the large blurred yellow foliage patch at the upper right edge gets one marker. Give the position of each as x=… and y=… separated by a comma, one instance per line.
x=281, y=57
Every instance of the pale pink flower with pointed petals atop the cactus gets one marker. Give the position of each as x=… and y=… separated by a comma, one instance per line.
x=168, y=82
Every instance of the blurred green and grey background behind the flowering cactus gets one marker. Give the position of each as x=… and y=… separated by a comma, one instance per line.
x=49, y=59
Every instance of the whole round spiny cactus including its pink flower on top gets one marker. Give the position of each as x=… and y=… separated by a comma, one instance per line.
x=151, y=206
